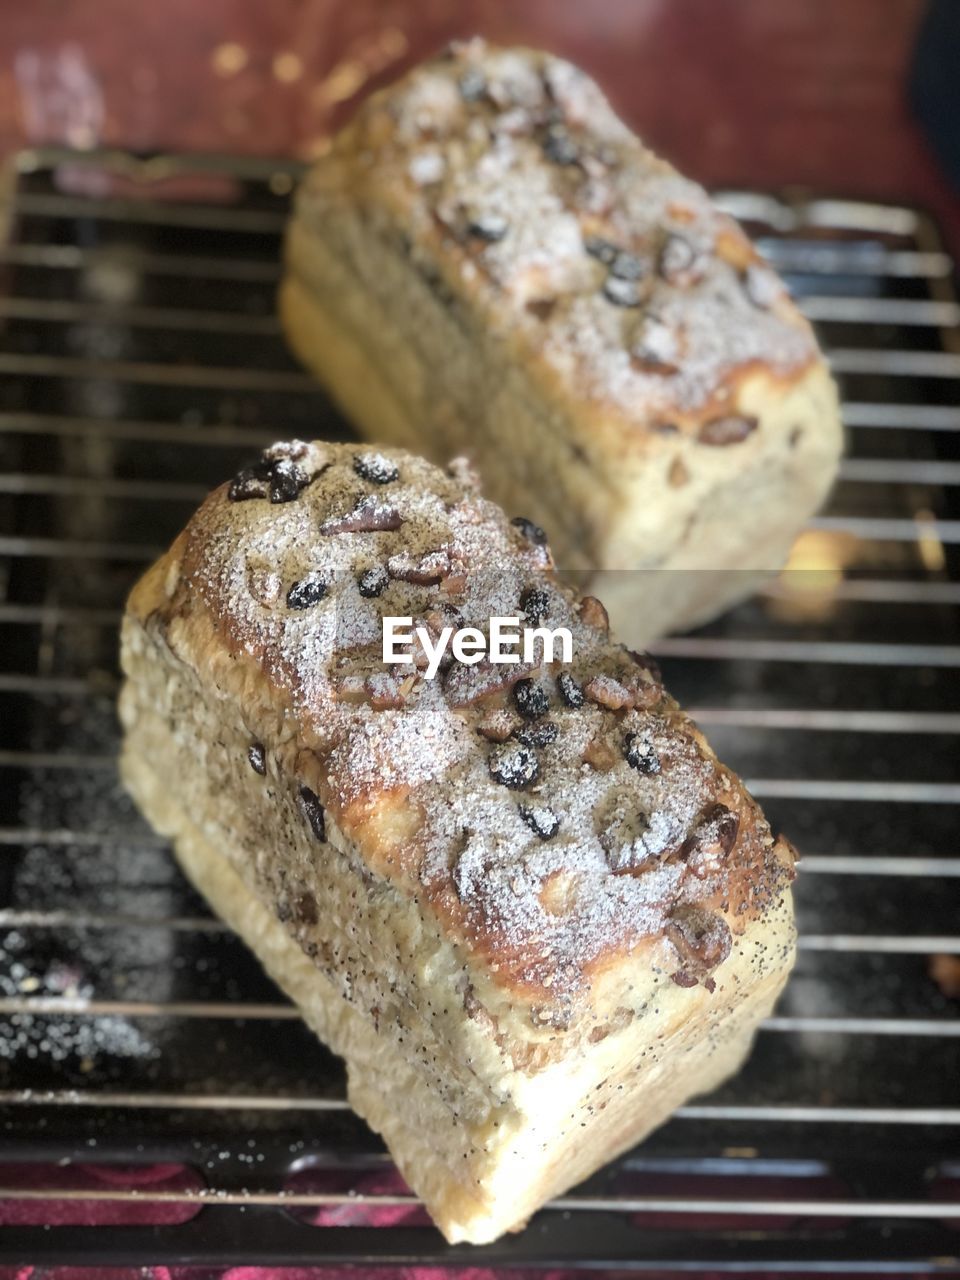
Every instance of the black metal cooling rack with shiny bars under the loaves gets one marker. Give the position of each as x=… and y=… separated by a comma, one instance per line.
x=141, y=364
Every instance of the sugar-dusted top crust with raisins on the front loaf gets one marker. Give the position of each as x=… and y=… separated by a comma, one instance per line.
x=545, y=860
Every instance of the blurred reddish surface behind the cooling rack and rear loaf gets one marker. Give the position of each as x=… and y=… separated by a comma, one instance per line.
x=760, y=93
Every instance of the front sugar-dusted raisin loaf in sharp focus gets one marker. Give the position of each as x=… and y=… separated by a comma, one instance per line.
x=525, y=903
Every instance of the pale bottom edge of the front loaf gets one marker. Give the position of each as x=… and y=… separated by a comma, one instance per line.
x=537, y=1160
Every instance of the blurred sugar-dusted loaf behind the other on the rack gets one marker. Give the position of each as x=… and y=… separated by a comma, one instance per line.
x=488, y=262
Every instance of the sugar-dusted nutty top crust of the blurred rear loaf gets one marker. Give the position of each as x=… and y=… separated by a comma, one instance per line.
x=519, y=159
